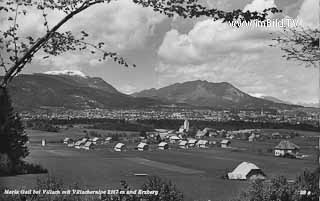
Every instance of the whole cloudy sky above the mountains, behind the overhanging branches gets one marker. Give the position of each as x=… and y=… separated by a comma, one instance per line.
x=173, y=50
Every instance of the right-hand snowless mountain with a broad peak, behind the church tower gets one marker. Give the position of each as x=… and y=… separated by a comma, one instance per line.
x=221, y=95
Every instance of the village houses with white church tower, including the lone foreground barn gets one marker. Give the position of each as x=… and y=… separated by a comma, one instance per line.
x=208, y=138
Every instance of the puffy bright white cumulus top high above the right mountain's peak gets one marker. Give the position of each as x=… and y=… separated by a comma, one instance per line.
x=210, y=39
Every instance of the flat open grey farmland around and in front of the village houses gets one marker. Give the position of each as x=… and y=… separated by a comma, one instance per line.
x=197, y=172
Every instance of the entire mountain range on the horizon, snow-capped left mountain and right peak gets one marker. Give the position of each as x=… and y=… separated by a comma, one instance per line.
x=74, y=90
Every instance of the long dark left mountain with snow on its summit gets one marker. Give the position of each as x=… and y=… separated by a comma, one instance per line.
x=69, y=91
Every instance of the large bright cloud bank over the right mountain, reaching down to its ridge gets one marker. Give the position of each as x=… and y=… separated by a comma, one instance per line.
x=217, y=52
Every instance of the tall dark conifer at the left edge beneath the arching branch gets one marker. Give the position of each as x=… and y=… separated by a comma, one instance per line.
x=12, y=136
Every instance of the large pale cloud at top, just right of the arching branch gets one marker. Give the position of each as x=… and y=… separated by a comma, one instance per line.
x=121, y=24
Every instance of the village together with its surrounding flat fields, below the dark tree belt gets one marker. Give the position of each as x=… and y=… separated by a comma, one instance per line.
x=222, y=161
